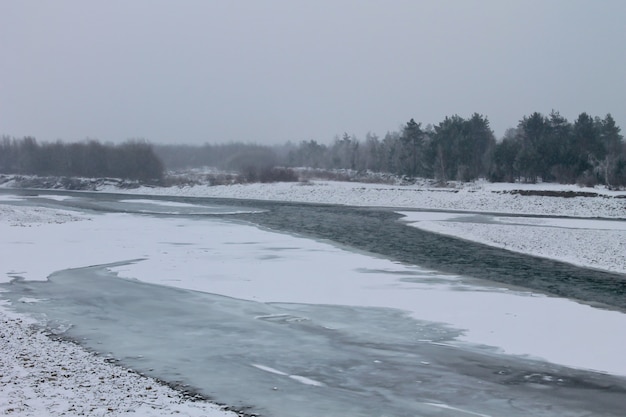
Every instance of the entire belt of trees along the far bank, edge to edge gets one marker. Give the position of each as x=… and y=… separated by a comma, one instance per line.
x=549, y=148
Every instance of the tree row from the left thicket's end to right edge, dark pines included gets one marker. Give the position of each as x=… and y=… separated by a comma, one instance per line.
x=548, y=148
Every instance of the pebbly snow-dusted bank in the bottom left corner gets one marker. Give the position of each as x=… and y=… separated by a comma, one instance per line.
x=40, y=376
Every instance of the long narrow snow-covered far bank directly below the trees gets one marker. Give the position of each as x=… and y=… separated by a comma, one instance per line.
x=479, y=196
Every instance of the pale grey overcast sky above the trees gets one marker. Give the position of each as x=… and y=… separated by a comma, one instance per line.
x=272, y=71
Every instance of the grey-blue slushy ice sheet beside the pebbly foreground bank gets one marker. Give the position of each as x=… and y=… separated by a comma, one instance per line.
x=304, y=360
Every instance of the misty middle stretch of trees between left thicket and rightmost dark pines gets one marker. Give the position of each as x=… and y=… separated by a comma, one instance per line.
x=461, y=151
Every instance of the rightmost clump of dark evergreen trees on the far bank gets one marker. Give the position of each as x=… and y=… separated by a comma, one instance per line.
x=589, y=151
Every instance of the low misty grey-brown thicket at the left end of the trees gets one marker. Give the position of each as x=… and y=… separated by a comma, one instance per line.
x=134, y=160
